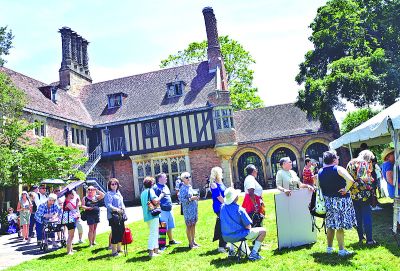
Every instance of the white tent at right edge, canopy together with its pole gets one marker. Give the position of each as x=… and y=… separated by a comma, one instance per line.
x=382, y=128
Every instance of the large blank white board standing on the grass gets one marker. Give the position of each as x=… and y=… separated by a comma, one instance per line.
x=293, y=219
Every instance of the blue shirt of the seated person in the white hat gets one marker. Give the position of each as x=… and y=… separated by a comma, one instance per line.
x=234, y=219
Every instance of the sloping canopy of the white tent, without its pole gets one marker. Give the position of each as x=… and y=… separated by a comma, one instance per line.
x=375, y=131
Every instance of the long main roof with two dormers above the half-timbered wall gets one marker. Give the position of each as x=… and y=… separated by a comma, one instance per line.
x=147, y=94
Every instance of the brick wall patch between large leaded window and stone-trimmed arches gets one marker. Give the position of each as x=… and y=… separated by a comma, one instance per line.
x=201, y=163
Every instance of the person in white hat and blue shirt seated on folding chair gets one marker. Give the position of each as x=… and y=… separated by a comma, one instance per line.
x=236, y=223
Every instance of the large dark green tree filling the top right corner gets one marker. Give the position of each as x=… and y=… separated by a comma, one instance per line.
x=355, y=57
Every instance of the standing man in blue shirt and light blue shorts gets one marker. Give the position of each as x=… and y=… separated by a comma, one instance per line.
x=164, y=194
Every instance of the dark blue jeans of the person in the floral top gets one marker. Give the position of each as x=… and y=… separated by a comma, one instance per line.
x=364, y=219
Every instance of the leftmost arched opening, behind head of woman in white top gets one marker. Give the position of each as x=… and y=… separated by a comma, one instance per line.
x=244, y=160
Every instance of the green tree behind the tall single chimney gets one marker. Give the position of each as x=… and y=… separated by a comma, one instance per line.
x=237, y=63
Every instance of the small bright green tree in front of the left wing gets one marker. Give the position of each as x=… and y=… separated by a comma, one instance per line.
x=49, y=160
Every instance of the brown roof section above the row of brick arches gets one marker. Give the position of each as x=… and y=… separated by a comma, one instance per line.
x=273, y=122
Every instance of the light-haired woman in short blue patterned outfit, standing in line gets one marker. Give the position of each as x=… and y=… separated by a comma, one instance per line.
x=188, y=197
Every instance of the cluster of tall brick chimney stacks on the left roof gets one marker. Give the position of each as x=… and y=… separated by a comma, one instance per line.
x=74, y=72
